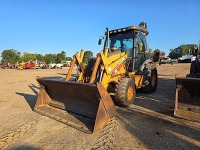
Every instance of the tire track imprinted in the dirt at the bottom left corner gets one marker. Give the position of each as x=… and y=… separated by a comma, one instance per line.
x=12, y=135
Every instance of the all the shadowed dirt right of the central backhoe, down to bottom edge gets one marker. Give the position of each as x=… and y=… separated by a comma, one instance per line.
x=149, y=119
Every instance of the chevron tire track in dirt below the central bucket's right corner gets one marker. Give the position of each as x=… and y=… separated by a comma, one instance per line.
x=106, y=137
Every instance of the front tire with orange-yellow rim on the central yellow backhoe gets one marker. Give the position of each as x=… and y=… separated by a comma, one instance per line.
x=125, y=88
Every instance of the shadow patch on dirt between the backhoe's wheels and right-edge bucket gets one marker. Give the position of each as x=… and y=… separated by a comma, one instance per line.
x=162, y=100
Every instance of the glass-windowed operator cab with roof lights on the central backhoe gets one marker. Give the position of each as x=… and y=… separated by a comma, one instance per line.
x=131, y=40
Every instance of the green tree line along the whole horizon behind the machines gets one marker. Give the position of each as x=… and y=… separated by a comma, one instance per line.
x=13, y=56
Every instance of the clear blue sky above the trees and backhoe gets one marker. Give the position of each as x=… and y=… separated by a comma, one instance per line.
x=52, y=26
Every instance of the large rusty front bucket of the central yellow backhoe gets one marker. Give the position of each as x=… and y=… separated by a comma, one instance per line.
x=86, y=107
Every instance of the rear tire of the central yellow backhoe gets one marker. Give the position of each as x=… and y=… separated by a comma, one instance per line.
x=153, y=80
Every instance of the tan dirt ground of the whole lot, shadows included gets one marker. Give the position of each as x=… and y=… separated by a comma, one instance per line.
x=146, y=124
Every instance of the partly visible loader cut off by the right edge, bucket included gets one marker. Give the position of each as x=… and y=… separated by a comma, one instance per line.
x=187, y=102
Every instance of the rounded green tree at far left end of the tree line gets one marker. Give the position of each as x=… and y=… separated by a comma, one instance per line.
x=10, y=56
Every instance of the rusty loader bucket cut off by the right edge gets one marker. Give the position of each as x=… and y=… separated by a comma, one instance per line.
x=187, y=103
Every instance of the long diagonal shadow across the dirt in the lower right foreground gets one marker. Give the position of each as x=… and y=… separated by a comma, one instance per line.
x=156, y=132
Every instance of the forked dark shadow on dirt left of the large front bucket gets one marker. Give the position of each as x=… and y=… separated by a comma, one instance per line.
x=31, y=99
